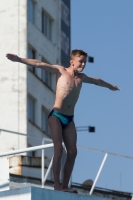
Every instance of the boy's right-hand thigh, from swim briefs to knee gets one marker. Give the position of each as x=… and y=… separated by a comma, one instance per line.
x=70, y=135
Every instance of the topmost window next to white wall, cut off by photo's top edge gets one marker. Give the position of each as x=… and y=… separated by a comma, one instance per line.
x=31, y=11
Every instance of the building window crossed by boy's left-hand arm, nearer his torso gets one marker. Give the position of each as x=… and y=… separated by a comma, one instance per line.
x=46, y=76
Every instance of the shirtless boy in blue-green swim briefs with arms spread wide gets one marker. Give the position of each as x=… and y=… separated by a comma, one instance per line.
x=69, y=83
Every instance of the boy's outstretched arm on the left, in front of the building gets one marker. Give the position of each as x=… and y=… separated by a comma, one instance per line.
x=34, y=63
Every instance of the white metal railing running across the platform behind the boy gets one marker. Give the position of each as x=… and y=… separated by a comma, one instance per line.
x=44, y=146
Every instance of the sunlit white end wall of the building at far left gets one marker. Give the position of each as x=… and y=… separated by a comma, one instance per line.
x=13, y=39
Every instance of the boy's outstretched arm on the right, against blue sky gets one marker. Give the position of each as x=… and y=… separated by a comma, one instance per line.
x=100, y=82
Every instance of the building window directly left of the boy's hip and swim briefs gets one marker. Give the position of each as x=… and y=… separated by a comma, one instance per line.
x=45, y=126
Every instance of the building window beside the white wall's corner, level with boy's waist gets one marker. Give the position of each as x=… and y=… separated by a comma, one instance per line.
x=31, y=109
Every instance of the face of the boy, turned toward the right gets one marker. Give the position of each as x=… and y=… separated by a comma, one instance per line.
x=78, y=63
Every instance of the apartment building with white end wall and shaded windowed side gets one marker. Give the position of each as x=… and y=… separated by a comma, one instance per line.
x=32, y=29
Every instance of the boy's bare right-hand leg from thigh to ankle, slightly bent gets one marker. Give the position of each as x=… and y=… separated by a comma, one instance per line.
x=70, y=139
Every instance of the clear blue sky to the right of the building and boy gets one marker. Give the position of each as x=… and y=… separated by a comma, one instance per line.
x=104, y=29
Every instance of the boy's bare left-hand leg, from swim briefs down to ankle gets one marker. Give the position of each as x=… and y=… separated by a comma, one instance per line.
x=56, y=132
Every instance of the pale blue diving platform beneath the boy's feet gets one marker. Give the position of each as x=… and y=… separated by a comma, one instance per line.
x=36, y=193
